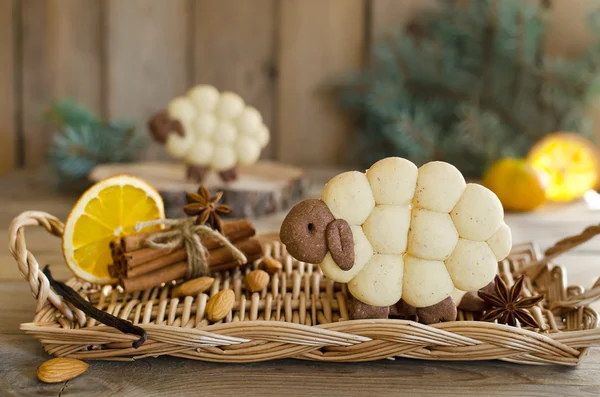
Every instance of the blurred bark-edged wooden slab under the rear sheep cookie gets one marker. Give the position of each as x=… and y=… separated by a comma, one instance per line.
x=261, y=189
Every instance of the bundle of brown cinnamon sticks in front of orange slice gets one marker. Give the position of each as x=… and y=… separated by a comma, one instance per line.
x=139, y=267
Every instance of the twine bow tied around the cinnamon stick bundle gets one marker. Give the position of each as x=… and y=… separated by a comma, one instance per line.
x=186, y=233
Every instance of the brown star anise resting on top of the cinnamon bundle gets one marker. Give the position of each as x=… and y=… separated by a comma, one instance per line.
x=206, y=208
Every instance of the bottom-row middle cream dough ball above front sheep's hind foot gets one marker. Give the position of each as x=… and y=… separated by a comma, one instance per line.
x=426, y=282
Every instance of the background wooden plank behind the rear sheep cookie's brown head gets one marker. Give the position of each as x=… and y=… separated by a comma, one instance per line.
x=147, y=59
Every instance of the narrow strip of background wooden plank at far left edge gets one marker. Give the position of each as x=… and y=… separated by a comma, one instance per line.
x=8, y=98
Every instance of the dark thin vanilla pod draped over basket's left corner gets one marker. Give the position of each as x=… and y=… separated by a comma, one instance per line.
x=71, y=296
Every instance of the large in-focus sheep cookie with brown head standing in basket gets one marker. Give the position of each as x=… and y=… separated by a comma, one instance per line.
x=398, y=232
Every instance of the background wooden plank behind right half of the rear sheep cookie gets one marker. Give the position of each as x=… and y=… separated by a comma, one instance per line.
x=234, y=49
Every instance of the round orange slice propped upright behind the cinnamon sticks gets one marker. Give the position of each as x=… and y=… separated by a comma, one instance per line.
x=109, y=209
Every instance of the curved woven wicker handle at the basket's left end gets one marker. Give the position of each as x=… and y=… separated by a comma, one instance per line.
x=28, y=265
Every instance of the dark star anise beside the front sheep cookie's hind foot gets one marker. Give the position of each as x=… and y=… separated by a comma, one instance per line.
x=507, y=304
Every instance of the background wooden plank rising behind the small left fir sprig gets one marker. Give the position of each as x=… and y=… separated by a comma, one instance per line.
x=61, y=58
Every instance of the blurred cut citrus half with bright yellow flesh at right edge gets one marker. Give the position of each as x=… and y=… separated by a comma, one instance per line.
x=569, y=162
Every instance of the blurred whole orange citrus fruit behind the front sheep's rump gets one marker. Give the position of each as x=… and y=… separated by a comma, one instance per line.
x=518, y=186
